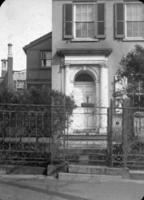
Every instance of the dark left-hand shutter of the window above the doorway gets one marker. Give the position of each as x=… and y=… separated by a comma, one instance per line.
x=68, y=21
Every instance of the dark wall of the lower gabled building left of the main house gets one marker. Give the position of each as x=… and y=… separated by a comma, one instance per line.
x=35, y=74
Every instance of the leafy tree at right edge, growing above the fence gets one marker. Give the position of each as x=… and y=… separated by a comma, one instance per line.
x=132, y=69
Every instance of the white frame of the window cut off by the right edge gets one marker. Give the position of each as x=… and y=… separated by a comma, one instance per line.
x=125, y=24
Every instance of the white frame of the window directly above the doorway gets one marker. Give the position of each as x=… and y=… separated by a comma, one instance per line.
x=74, y=21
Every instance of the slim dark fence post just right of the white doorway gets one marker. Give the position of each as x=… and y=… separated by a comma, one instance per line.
x=109, y=135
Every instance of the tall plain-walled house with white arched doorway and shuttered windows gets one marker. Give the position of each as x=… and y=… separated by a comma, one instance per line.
x=89, y=39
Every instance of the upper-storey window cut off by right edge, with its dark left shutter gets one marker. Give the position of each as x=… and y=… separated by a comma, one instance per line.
x=129, y=20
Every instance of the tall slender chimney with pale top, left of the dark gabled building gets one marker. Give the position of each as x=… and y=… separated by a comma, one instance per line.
x=10, y=83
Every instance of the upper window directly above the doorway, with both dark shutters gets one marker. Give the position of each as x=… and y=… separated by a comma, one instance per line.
x=84, y=21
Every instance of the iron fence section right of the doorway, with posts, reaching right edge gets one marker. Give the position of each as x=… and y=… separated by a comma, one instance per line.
x=126, y=136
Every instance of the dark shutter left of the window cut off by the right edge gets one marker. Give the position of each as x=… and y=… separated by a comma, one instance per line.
x=119, y=20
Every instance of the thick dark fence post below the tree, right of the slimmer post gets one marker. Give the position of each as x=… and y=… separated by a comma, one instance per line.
x=125, y=130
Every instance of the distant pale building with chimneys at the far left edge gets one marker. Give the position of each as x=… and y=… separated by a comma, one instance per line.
x=10, y=79
